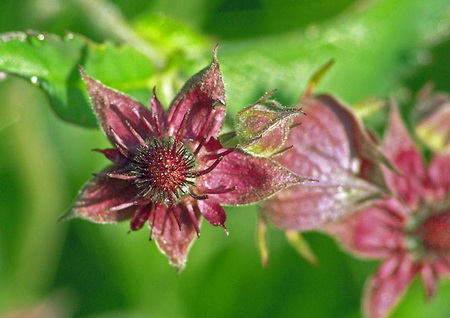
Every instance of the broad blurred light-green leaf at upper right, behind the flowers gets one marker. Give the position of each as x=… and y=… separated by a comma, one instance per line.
x=374, y=49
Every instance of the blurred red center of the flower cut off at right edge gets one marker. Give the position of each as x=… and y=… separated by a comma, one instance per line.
x=435, y=232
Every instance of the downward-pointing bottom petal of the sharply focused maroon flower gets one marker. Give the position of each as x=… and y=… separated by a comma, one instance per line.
x=171, y=240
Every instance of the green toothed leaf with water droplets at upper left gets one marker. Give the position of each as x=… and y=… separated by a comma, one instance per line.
x=51, y=63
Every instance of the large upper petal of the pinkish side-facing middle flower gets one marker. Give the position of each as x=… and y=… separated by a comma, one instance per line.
x=331, y=145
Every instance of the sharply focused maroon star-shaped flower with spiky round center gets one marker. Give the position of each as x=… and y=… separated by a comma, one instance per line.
x=170, y=170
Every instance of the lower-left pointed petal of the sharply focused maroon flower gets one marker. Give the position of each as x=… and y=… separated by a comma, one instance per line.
x=101, y=194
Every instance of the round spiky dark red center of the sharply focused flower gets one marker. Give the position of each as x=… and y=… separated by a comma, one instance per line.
x=164, y=169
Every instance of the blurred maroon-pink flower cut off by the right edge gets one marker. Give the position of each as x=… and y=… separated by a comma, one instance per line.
x=410, y=231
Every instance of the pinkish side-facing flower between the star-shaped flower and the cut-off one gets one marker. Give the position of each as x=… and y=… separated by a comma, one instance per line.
x=333, y=147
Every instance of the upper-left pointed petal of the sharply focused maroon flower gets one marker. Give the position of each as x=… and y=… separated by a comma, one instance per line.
x=114, y=109
